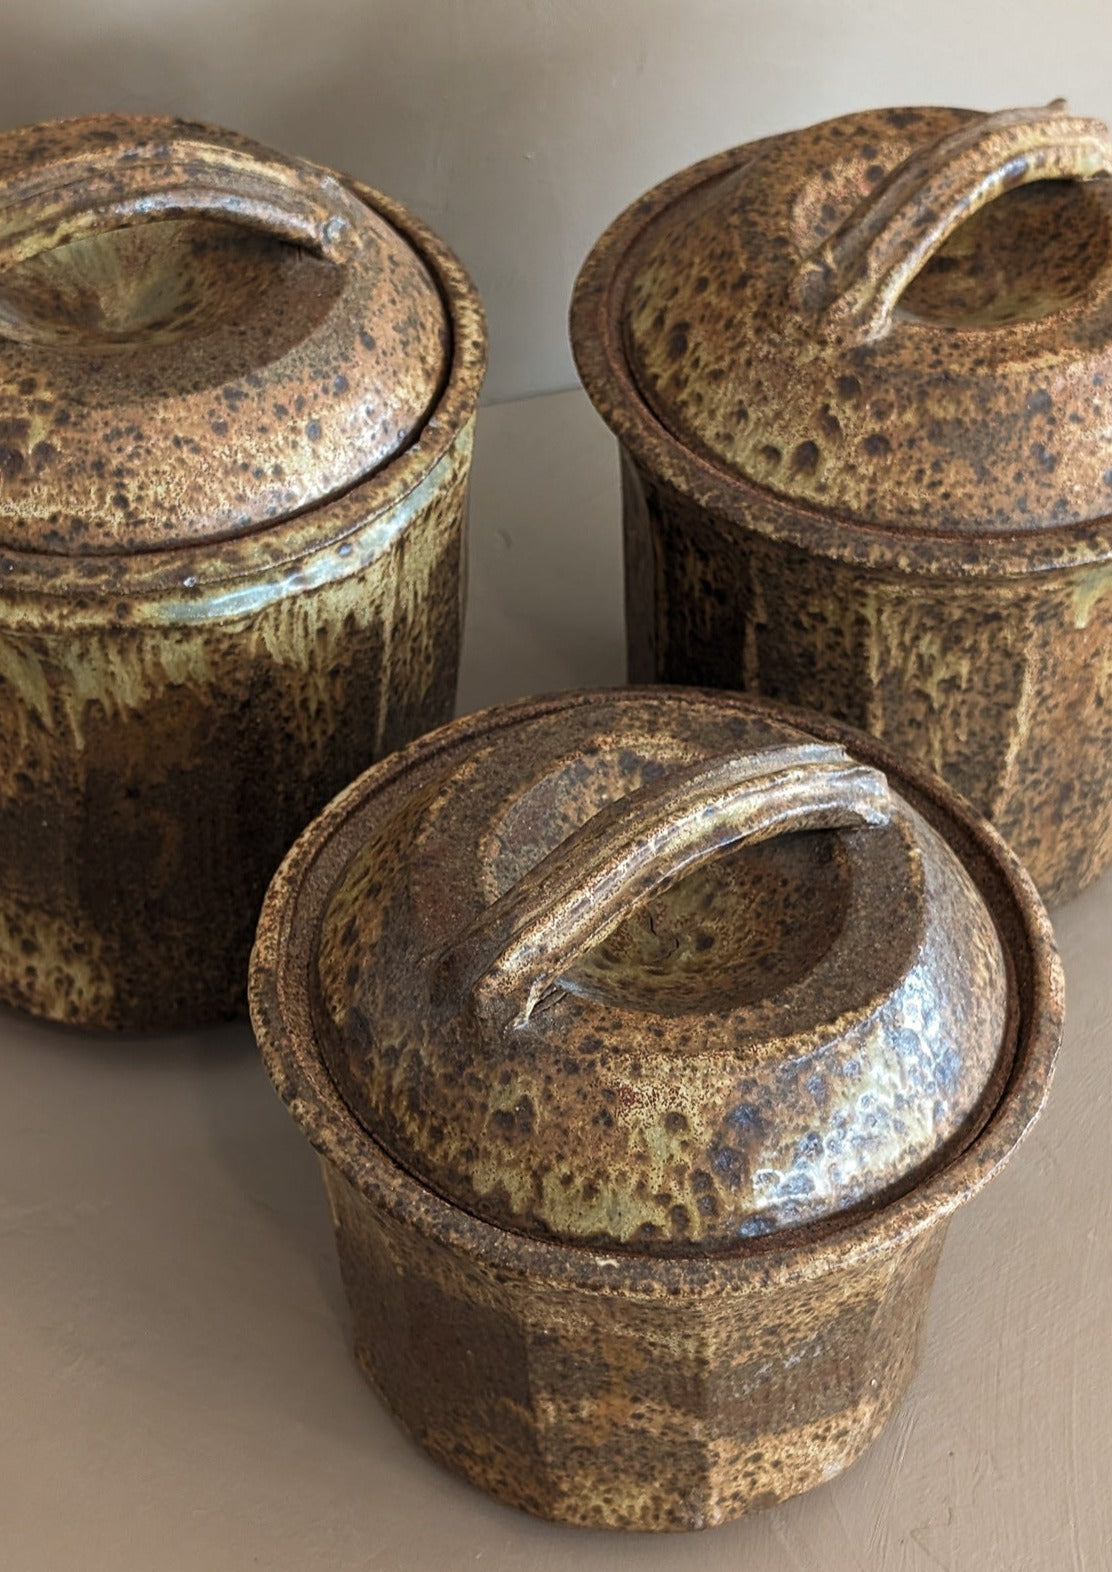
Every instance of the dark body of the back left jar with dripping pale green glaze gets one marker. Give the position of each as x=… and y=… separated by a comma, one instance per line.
x=160, y=754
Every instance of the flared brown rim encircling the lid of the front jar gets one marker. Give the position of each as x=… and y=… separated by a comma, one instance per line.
x=303, y=1079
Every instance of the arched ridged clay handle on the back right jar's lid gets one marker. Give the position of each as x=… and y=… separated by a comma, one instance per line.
x=852, y=285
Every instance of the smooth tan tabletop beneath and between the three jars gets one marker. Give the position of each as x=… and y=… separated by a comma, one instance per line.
x=177, y=1389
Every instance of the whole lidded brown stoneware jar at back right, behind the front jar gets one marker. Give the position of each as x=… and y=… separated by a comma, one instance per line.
x=863, y=383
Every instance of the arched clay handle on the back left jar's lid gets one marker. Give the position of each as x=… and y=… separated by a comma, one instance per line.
x=175, y=175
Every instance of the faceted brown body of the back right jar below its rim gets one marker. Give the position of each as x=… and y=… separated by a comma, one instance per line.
x=1000, y=685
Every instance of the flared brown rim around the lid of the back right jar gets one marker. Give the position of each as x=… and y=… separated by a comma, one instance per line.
x=597, y=326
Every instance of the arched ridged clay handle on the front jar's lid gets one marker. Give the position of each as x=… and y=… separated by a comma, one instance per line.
x=639, y=847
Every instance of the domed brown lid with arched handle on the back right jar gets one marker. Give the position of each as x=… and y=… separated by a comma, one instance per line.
x=902, y=318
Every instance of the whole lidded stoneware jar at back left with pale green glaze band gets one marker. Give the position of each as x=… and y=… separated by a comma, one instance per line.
x=237, y=405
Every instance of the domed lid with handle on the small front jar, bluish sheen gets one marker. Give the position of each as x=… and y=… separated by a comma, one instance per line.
x=654, y=971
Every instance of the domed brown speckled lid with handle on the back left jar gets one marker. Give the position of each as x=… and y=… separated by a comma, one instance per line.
x=199, y=337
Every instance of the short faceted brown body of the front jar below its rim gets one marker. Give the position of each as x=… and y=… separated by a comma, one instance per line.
x=622, y=1409
